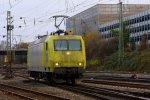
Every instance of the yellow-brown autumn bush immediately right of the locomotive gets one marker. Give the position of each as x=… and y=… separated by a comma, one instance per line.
x=97, y=49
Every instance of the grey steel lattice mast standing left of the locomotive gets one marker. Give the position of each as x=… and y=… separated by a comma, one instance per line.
x=9, y=53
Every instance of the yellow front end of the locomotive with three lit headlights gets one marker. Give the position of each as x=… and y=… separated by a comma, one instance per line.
x=70, y=60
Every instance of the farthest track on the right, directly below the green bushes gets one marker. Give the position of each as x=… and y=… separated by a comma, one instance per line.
x=126, y=77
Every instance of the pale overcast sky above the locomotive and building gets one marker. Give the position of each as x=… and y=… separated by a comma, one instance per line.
x=36, y=14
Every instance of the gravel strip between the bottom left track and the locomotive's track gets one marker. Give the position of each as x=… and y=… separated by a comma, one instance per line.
x=18, y=81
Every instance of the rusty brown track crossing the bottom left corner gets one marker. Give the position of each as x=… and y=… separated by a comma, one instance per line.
x=28, y=94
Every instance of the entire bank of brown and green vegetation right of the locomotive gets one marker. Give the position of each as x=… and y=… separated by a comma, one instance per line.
x=103, y=54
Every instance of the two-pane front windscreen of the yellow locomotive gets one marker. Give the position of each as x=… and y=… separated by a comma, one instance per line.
x=67, y=45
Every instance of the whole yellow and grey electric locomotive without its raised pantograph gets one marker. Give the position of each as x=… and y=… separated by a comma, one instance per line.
x=57, y=56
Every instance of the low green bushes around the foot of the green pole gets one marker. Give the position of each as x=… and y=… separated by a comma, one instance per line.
x=138, y=61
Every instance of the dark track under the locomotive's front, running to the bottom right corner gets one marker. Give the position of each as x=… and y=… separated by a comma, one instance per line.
x=101, y=93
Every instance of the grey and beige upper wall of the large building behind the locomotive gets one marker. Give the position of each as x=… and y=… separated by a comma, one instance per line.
x=91, y=19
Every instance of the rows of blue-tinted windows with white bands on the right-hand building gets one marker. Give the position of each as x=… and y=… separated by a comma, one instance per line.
x=136, y=25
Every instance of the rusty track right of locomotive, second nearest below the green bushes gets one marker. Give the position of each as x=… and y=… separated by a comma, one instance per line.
x=118, y=83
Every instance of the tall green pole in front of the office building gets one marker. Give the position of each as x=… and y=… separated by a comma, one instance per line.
x=121, y=44
